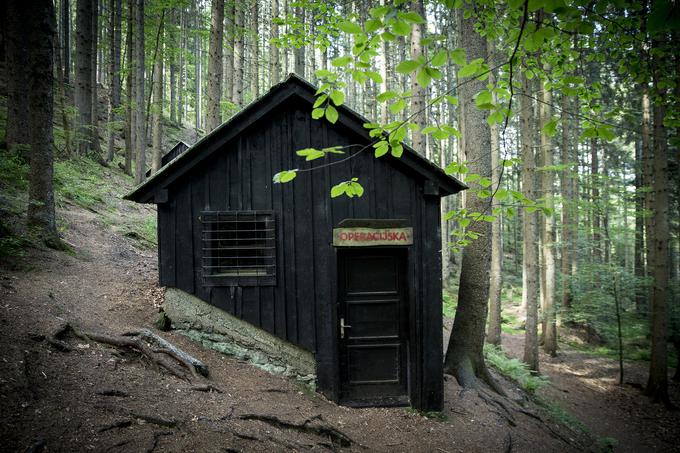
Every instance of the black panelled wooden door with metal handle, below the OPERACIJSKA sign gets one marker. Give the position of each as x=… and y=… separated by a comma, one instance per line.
x=372, y=312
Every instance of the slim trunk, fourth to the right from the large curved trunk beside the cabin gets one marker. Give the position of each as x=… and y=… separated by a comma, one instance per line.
x=568, y=227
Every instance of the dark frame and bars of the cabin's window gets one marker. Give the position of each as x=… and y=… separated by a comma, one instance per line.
x=210, y=221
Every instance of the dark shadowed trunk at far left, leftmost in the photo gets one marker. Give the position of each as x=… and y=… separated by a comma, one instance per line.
x=17, y=132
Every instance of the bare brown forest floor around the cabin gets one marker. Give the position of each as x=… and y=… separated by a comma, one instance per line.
x=100, y=398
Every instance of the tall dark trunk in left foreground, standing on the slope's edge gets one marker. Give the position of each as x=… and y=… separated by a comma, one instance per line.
x=41, y=25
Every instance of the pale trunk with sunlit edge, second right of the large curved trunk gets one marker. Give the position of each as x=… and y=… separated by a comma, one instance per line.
x=529, y=231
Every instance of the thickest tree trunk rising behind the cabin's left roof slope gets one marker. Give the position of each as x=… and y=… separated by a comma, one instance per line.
x=215, y=65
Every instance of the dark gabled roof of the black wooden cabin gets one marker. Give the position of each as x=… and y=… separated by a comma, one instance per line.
x=293, y=86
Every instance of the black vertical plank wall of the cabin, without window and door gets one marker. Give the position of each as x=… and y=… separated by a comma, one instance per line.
x=301, y=307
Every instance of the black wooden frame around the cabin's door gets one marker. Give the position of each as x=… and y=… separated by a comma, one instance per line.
x=404, y=253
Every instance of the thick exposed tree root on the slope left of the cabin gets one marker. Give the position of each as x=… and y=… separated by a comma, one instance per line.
x=140, y=341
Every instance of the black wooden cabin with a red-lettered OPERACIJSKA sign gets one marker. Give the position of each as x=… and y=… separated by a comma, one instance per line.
x=356, y=281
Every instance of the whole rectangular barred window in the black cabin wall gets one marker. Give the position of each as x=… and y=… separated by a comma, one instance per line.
x=239, y=248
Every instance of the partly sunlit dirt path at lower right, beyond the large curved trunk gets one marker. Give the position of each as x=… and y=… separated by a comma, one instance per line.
x=587, y=387
